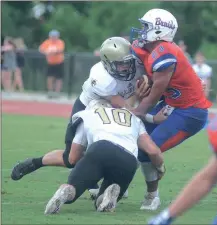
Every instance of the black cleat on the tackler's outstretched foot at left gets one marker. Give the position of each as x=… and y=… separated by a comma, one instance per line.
x=22, y=169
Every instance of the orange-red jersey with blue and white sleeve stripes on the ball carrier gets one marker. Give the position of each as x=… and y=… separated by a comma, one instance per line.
x=185, y=88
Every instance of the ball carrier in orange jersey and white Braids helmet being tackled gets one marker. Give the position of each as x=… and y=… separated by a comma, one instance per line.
x=174, y=78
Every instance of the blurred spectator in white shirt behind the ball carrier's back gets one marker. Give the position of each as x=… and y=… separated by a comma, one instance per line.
x=203, y=70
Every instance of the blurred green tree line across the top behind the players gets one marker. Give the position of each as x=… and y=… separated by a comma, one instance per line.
x=84, y=25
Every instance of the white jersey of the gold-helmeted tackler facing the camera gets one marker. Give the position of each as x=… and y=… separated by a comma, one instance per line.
x=101, y=84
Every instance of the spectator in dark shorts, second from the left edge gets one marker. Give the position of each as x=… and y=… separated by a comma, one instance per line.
x=20, y=48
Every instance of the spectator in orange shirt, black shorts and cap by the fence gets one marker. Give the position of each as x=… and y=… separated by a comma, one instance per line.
x=53, y=49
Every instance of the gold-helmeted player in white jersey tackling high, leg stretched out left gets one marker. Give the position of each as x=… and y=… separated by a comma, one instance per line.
x=113, y=78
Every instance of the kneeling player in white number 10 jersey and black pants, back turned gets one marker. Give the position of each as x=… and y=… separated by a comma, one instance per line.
x=112, y=137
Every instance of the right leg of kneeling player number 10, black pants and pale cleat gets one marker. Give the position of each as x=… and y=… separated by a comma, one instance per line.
x=119, y=170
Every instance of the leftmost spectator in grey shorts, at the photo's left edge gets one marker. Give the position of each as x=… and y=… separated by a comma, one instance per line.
x=9, y=63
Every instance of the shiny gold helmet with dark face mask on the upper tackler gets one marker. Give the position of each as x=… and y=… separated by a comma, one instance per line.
x=117, y=59
